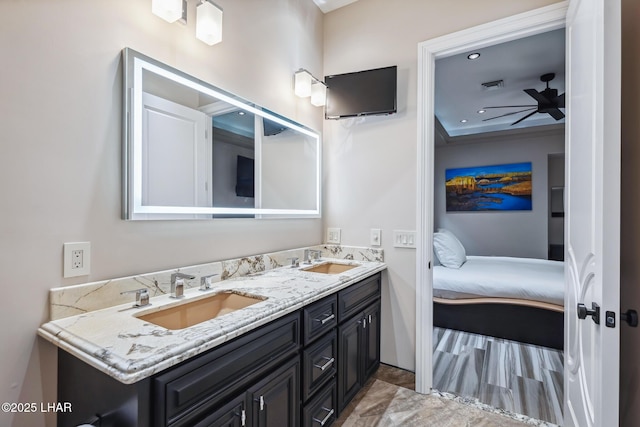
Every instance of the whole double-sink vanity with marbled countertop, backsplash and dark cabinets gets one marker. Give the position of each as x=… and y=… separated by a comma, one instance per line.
x=274, y=344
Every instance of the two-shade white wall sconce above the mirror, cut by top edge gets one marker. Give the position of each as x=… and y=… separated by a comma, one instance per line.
x=208, y=17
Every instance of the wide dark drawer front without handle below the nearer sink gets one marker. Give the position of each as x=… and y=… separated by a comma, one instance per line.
x=194, y=388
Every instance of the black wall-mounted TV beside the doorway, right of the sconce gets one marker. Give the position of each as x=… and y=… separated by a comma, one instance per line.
x=361, y=93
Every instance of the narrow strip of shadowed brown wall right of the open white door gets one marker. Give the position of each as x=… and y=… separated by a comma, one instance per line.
x=630, y=224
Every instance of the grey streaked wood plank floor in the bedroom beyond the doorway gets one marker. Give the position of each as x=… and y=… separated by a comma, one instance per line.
x=517, y=377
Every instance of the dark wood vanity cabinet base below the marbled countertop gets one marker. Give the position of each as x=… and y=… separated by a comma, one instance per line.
x=298, y=370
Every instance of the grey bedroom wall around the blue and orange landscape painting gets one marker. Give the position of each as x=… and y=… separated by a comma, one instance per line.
x=513, y=233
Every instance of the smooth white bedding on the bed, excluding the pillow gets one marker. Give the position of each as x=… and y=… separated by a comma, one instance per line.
x=505, y=277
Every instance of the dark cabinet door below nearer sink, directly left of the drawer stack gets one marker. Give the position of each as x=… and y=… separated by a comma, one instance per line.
x=275, y=401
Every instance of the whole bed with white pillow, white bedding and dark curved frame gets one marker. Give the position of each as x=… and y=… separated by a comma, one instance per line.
x=519, y=299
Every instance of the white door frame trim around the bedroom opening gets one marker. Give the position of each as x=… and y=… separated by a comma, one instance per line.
x=515, y=27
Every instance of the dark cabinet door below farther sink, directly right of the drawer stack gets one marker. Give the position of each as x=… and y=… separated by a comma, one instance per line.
x=349, y=360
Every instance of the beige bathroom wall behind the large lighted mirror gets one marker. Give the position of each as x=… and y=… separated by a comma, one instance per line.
x=60, y=96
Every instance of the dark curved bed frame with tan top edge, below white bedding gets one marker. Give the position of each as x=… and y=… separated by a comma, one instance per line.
x=526, y=321
